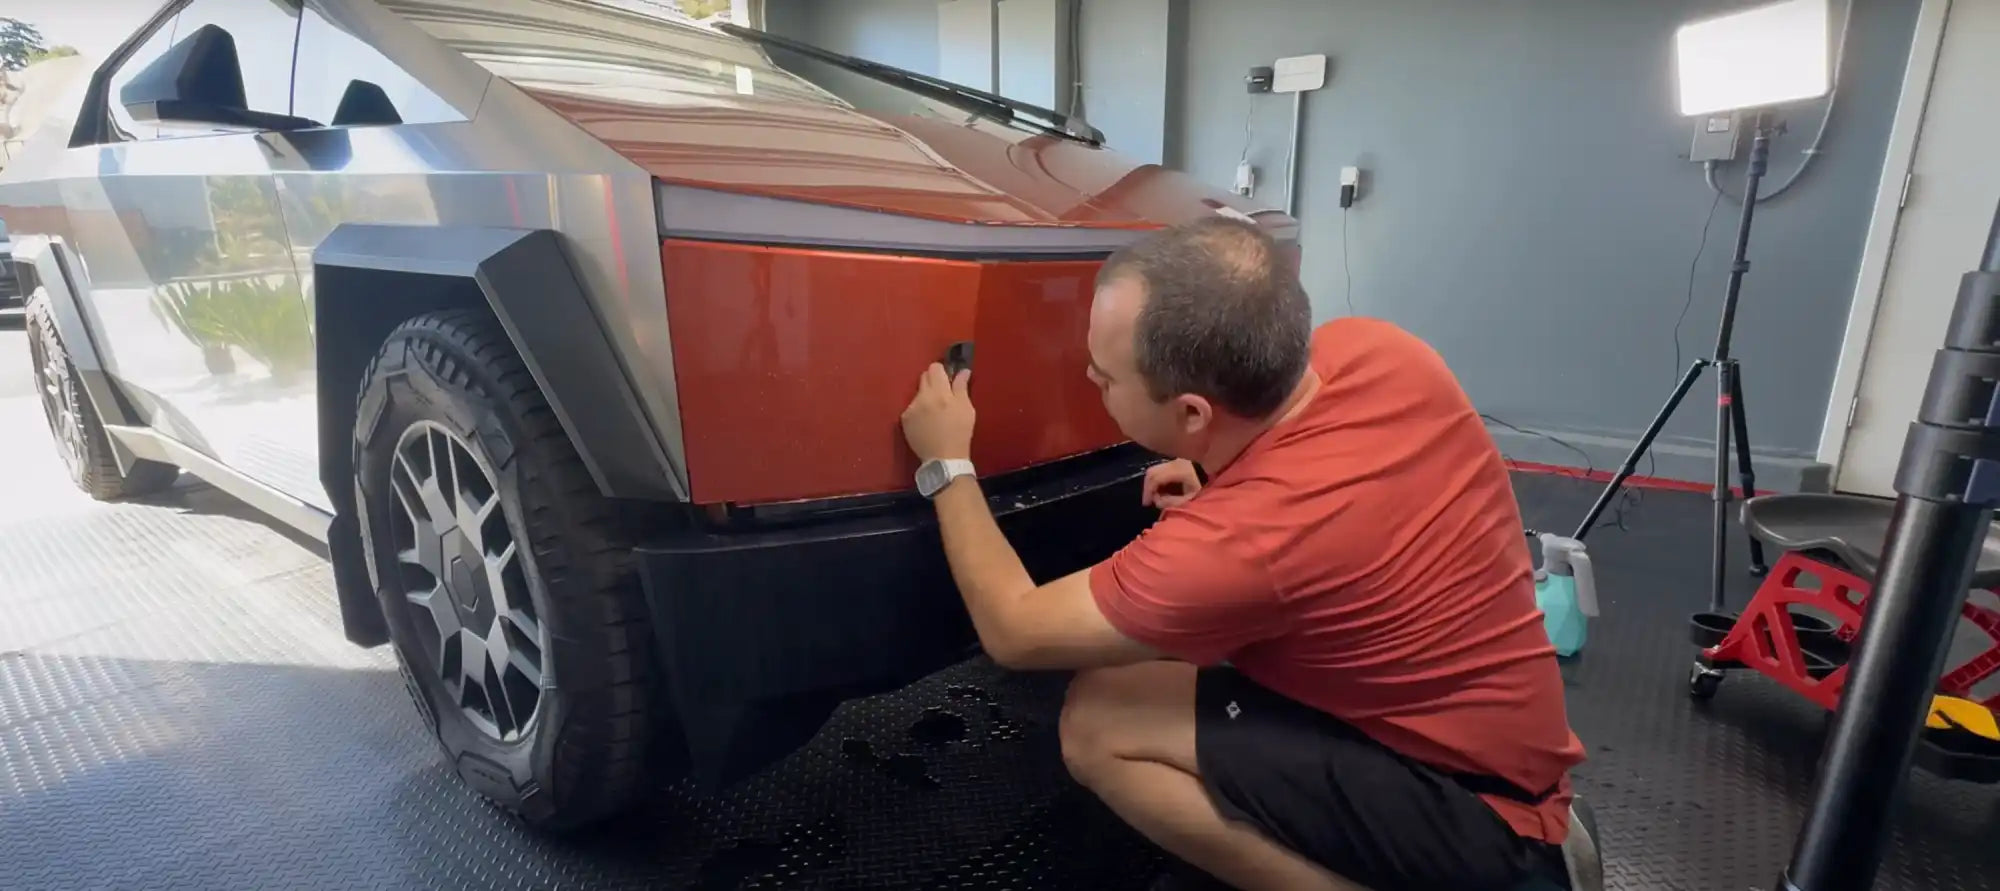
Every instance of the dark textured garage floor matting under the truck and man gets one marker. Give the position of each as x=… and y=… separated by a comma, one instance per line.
x=179, y=710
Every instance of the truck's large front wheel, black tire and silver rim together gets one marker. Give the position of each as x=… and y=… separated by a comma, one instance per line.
x=505, y=576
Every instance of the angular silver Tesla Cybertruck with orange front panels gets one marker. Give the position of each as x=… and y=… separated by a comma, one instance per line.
x=579, y=335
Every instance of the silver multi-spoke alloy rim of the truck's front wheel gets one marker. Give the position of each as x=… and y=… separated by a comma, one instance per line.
x=461, y=572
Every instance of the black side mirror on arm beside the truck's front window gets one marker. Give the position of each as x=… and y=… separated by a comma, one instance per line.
x=199, y=81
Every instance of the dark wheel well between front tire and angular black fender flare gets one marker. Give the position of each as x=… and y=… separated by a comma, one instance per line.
x=355, y=311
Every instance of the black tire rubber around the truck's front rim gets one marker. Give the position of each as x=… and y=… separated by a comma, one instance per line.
x=585, y=752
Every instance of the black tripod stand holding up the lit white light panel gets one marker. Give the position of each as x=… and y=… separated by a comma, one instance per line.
x=1731, y=413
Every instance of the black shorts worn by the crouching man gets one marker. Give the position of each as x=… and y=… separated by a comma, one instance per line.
x=1349, y=804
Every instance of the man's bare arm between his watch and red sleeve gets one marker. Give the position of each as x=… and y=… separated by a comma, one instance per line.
x=1021, y=624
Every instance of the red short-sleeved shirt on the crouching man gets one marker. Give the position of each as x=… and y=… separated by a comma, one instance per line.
x=1367, y=558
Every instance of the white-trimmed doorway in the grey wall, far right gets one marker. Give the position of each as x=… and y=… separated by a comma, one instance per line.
x=1947, y=209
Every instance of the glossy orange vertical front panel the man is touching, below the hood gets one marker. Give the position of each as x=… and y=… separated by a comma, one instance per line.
x=805, y=361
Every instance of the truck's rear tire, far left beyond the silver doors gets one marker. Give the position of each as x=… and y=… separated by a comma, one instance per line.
x=73, y=421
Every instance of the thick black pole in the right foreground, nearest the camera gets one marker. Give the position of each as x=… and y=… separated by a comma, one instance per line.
x=1947, y=488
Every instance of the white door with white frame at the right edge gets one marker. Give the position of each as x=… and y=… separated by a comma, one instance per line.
x=1939, y=239
